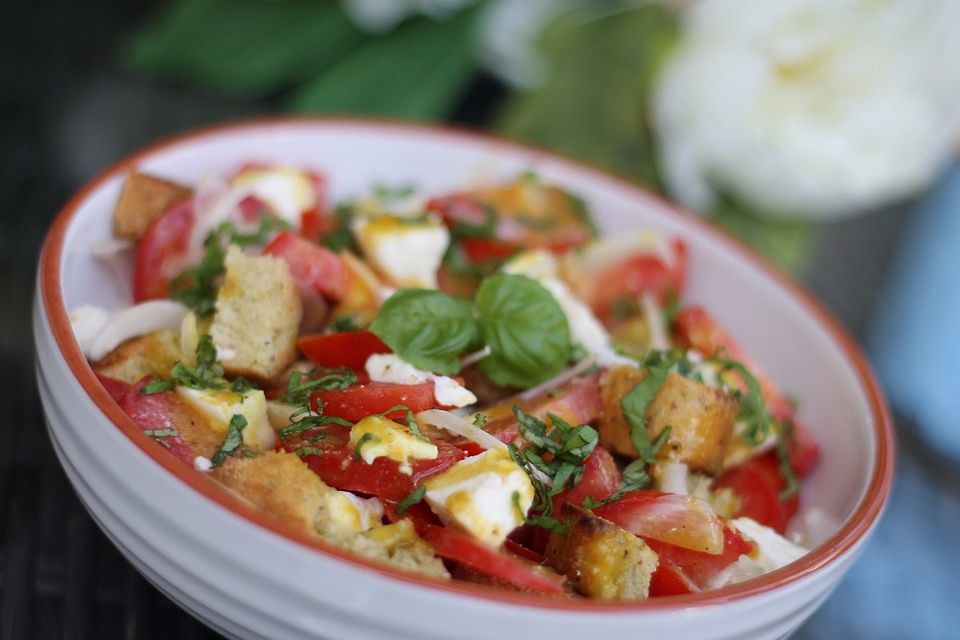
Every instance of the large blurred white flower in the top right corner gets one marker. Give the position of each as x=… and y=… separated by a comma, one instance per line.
x=819, y=108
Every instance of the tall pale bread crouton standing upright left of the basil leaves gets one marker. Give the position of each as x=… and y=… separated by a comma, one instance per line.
x=256, y=317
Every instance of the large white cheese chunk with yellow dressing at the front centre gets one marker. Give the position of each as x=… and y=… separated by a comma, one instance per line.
x=486, y=495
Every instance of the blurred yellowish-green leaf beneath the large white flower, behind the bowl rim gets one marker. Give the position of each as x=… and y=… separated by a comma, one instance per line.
x=786, y=243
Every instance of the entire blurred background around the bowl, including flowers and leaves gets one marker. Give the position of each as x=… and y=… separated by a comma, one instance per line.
x=825, y=133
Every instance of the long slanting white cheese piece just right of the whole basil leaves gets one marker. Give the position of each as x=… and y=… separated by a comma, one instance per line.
x=585, y=329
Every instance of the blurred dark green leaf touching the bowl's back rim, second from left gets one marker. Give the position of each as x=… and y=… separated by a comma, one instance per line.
x=417, y=71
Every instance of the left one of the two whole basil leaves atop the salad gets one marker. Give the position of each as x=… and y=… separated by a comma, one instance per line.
x=426, y=328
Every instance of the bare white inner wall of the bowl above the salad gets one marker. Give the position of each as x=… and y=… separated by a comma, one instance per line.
x=784, y=333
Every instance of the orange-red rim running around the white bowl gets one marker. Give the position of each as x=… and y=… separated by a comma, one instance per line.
x=852, y=530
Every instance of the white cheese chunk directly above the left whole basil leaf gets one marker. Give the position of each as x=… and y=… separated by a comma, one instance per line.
x=407, y=253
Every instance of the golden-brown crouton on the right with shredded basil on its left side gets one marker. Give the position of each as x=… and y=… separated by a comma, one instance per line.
x=701, y=419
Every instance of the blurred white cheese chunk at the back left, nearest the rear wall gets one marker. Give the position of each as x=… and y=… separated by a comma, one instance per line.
x=288, y=191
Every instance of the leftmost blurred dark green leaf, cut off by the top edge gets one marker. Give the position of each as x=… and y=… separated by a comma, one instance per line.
x=243, y=49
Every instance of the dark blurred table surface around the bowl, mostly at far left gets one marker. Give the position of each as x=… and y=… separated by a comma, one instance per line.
x=66, y=114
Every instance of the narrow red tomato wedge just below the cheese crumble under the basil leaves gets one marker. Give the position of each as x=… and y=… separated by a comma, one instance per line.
x=361, y=400
